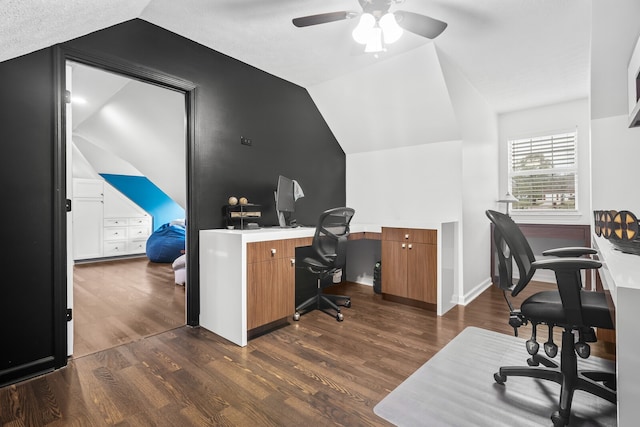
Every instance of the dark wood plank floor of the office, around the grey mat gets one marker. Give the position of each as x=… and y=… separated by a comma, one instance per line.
x=313, y=372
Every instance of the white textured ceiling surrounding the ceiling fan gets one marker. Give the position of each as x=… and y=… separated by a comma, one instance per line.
x=517, y=53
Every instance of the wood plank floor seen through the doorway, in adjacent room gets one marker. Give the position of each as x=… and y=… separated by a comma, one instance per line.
x=117, y=302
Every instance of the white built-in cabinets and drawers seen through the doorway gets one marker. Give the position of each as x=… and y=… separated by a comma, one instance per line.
x=105, y=222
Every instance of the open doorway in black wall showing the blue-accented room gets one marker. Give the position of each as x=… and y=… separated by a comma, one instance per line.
x=126, y=148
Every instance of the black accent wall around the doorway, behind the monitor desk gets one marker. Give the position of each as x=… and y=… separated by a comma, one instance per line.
x=231, y=99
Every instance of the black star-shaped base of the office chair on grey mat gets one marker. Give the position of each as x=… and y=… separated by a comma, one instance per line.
x=598, y=383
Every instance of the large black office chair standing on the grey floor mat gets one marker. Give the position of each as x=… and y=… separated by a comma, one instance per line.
x=570, y=307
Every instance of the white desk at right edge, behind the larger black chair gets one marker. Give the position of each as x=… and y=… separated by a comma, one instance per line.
x=620, y=275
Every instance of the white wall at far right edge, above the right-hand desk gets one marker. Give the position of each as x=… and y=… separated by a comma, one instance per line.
x=615, y=147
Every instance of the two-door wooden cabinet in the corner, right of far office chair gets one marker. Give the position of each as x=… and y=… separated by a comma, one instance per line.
x=409, y=263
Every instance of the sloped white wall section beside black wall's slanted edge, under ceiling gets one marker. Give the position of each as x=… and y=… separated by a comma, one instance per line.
x=398, y=102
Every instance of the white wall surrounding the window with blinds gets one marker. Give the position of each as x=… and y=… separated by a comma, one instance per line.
x=546, y=120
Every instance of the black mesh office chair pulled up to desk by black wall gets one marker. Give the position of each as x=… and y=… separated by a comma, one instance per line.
x=329, y=255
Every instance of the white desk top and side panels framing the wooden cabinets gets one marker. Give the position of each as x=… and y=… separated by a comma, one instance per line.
x=223, y=273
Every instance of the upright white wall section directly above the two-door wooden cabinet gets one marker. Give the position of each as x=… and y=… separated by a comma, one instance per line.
x=410, y=186
